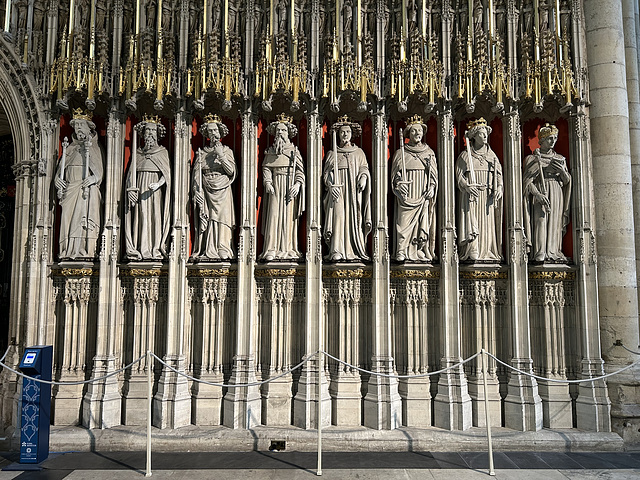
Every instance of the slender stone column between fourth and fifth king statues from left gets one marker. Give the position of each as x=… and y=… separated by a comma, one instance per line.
x=305, y=402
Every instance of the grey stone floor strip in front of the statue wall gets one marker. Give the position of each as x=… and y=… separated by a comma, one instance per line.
x=336, y=465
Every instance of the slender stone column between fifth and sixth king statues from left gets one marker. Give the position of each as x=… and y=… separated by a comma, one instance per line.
x=382, y=403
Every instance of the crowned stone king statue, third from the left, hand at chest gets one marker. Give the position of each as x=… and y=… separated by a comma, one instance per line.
x=214, y=171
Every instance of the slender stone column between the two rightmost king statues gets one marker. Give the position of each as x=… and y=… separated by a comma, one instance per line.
x=522, y=405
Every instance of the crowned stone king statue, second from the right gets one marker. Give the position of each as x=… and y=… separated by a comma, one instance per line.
x=479, y=180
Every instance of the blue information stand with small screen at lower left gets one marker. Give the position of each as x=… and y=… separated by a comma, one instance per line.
x=36, y=404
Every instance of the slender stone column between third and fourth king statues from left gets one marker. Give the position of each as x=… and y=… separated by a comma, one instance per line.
x=242, y=406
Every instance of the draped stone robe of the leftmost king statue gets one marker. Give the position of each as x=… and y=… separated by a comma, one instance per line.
x=81, y=217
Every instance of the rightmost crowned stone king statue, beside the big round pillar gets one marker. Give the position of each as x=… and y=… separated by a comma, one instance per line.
x=546, y=186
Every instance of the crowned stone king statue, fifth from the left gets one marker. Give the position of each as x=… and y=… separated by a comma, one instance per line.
x=347, y=198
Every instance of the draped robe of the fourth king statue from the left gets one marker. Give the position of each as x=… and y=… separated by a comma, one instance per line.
x=280, y=214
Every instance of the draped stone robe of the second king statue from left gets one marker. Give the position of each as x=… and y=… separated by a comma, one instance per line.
x=147, y=222
